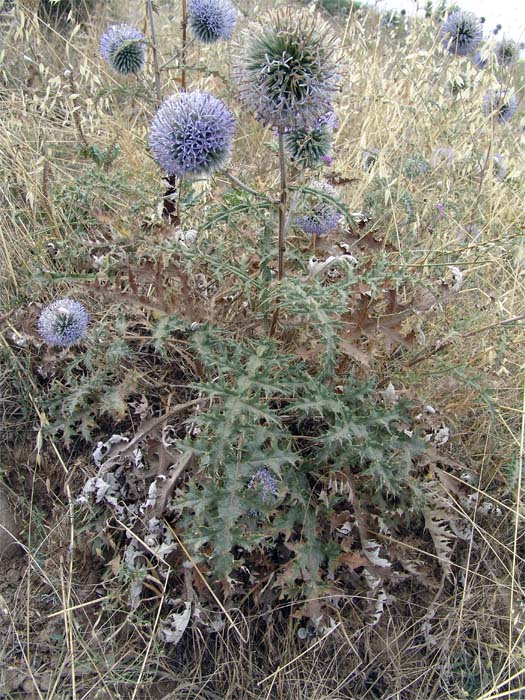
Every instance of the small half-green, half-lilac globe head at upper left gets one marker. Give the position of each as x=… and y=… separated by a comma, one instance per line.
x=124, y=49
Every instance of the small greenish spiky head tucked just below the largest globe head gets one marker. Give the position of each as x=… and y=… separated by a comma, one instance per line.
x=310, y=147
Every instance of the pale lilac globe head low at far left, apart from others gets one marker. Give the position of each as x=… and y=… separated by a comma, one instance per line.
x=63, y=323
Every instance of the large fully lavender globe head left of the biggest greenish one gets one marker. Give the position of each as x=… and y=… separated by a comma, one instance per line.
x=191, y=134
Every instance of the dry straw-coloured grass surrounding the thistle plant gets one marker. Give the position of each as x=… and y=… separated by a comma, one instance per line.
x=62, y=634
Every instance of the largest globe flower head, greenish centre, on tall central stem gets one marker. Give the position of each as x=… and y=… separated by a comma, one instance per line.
x=288, y=70
